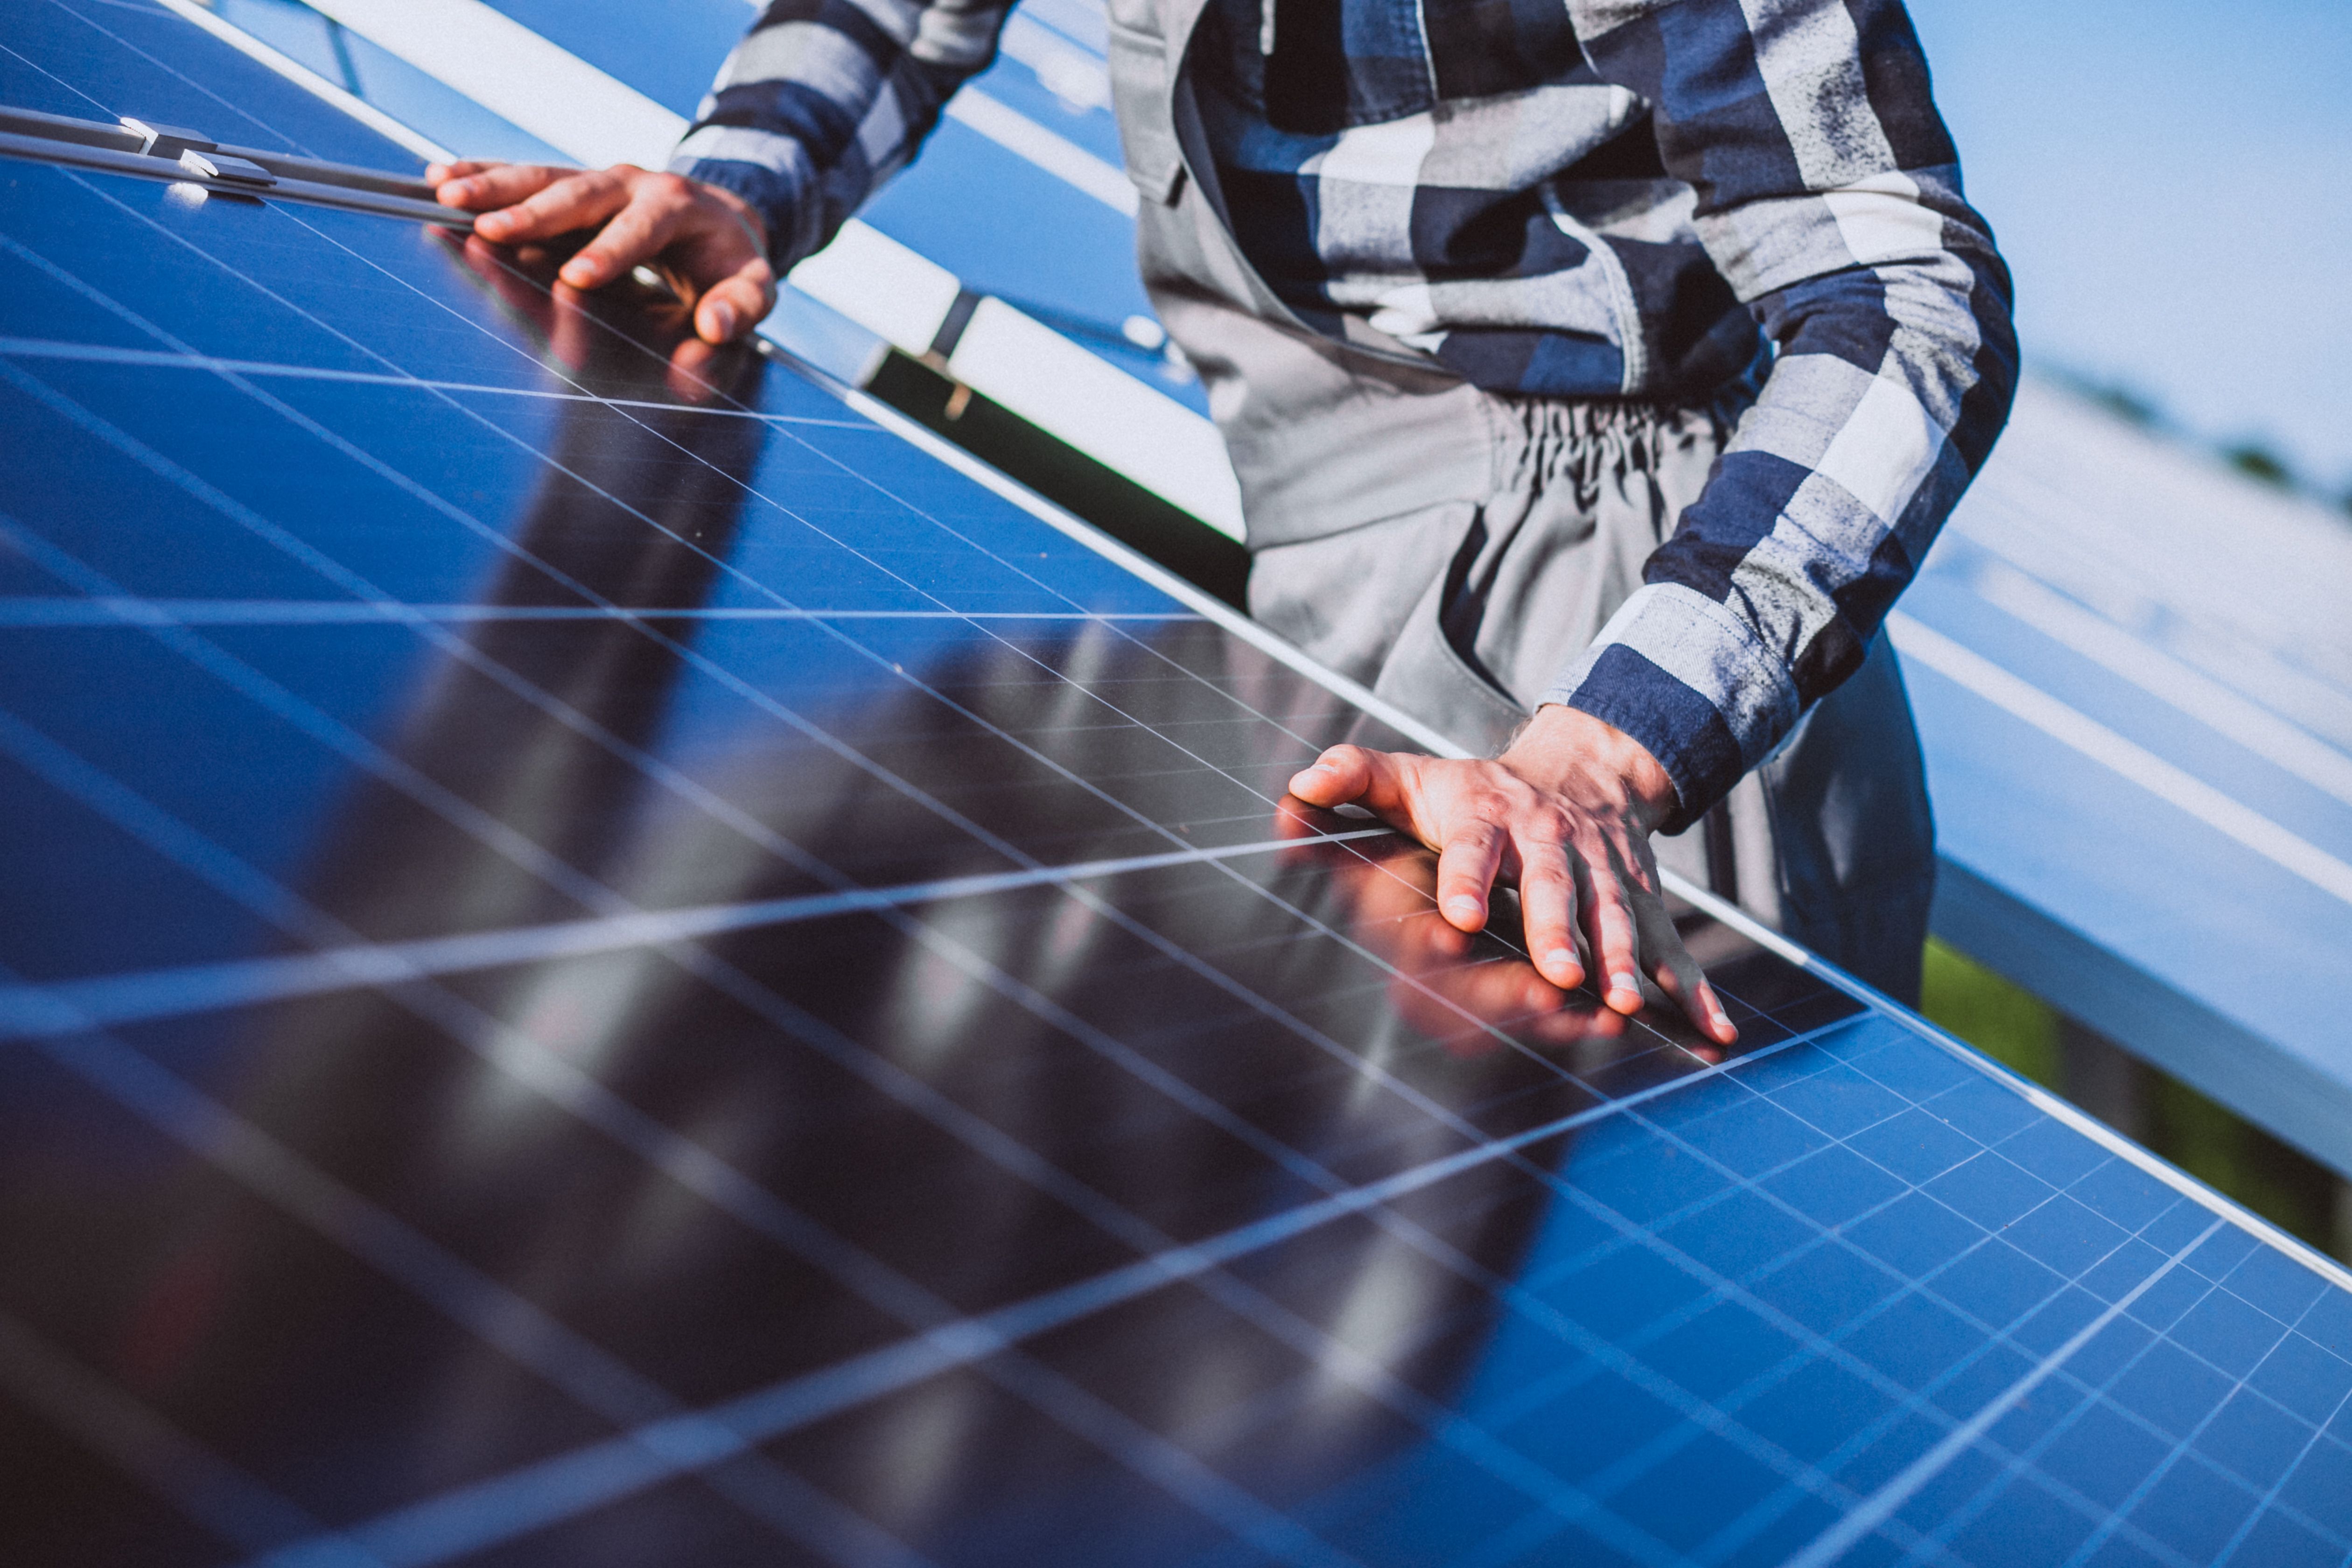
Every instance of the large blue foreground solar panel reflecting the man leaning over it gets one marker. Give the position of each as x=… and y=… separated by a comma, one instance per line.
x=613, y=963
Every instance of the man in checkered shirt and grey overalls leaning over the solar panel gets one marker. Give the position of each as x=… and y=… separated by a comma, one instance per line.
x=1596, y=377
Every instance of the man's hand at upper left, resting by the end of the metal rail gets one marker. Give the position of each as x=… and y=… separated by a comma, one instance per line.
x=707, y=241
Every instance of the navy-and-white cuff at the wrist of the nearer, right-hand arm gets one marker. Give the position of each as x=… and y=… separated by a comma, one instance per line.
x=1692, y=683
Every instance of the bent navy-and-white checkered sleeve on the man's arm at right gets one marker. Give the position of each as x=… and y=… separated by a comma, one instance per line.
x=1829, y=196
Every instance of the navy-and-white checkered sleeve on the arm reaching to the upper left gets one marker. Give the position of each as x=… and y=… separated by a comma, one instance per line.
x=824, y=100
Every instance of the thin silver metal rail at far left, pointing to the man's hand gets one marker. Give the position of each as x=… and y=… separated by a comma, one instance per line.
x=175, y=154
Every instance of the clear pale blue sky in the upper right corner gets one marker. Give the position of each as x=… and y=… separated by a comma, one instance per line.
x=2172, y=185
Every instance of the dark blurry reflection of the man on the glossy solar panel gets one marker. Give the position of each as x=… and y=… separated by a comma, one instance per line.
x=650, y=1177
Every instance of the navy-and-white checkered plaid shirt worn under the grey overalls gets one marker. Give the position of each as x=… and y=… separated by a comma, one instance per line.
x=1603, y=199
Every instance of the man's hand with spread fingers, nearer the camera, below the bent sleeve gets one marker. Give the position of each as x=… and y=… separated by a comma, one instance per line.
x=1568, y=815
